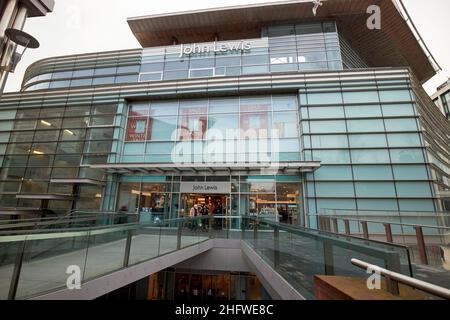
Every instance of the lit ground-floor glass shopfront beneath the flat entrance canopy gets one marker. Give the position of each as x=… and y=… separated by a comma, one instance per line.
x=277, y=198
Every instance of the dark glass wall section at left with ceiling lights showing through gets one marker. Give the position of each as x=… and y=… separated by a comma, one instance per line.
x=45, y=146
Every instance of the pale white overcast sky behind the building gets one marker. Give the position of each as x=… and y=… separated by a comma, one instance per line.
x=84, y=26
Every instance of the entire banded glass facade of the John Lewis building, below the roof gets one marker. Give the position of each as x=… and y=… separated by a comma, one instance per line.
x=310, y=101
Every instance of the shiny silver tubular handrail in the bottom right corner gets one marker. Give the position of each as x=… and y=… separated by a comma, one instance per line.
x=411, y=282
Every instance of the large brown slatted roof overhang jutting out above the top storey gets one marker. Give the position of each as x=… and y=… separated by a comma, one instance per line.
x=395, y=45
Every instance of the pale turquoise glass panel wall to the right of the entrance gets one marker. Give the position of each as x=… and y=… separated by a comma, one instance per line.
x=370, y=144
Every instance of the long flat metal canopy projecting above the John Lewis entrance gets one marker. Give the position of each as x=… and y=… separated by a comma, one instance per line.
x=286, y=168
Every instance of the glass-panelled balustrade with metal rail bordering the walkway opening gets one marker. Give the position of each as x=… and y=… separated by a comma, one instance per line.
x=33, y=264
